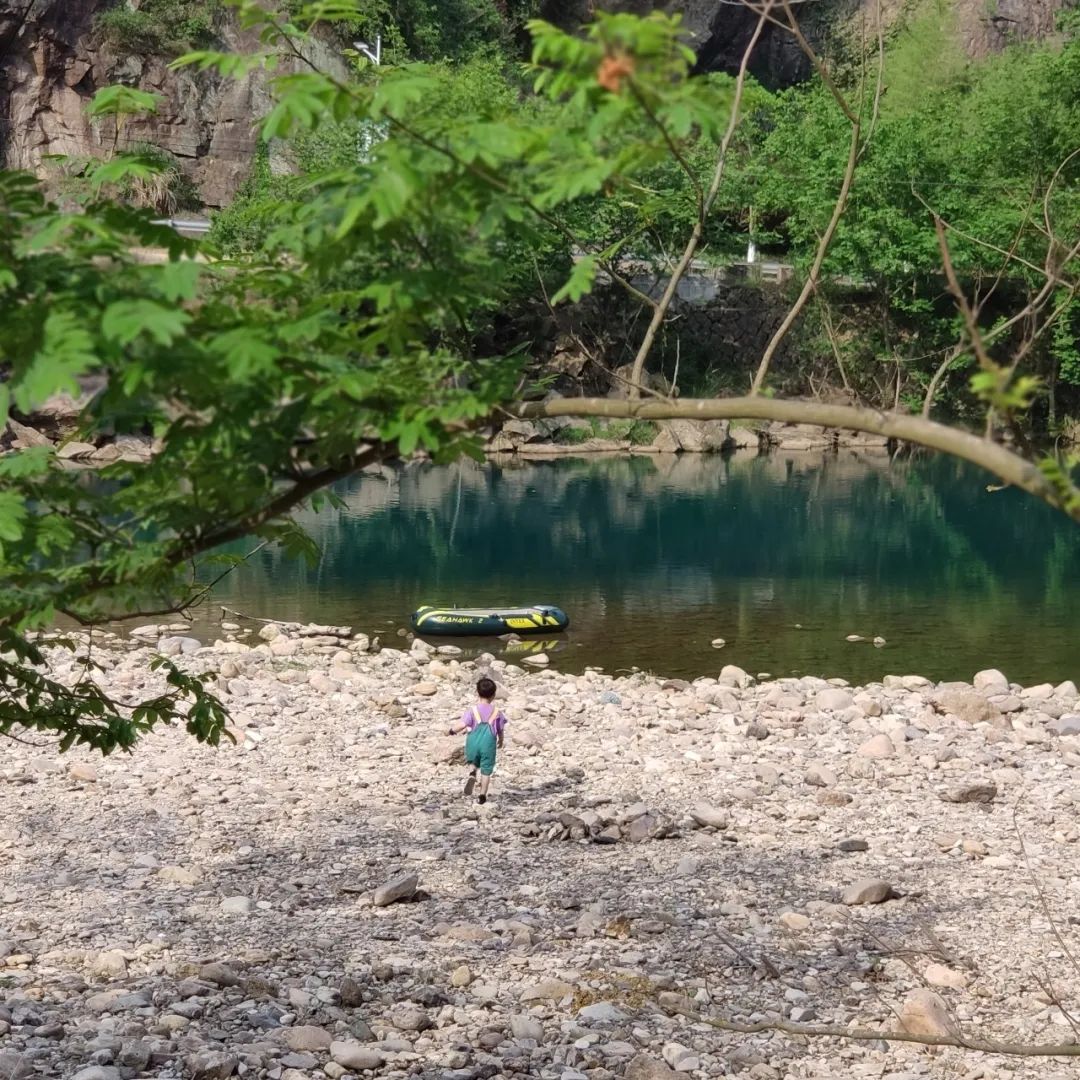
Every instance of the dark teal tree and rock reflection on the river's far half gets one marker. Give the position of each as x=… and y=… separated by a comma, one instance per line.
x=913, y=524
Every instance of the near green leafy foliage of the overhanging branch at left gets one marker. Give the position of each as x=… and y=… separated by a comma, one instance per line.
x=259, y=383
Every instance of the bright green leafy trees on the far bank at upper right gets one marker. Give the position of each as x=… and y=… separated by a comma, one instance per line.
x=988, y=147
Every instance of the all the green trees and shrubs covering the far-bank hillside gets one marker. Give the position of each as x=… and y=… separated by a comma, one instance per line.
x=983, y=144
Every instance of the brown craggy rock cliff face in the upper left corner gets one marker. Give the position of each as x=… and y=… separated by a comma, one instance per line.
x=51, y=64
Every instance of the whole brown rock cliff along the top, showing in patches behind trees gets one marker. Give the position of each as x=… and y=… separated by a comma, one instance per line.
x=52, y=62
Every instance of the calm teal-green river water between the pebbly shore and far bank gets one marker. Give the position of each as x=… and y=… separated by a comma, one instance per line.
x=784, y=557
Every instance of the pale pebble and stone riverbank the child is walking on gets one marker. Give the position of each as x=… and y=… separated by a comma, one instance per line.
x=319, y=900
